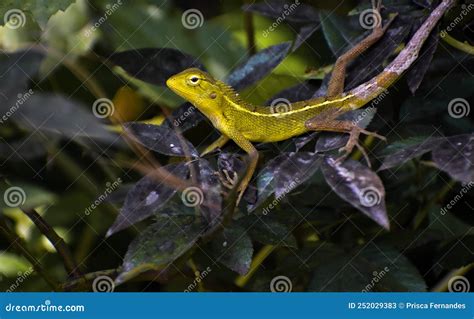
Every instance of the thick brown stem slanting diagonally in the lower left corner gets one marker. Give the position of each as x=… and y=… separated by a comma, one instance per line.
x=55, y=240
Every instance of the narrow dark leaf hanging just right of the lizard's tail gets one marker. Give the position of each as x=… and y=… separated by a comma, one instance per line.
x=417, y=72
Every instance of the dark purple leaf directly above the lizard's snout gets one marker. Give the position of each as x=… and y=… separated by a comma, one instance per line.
x=154, y=65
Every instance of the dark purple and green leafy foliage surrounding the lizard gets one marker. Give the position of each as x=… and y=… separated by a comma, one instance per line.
x=64, y=159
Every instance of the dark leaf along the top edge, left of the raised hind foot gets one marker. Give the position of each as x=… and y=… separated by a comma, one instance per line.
x=291, y=11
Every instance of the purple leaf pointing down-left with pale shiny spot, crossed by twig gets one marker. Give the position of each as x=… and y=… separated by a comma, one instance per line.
x=146, y=198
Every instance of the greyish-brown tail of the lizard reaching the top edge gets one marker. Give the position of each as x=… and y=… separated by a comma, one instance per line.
x=379, y=84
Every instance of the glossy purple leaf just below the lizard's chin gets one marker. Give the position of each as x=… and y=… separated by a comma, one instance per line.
x=162, y=139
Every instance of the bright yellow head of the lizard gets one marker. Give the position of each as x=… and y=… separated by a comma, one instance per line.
x=197, y=87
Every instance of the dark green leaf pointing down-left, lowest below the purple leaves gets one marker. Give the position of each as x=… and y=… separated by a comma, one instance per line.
x=159, y=245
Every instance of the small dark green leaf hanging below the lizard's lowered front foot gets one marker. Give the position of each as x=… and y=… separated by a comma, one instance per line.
x=234, y=249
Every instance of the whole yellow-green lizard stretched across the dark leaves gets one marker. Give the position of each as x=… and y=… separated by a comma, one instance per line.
x=244, y=123
